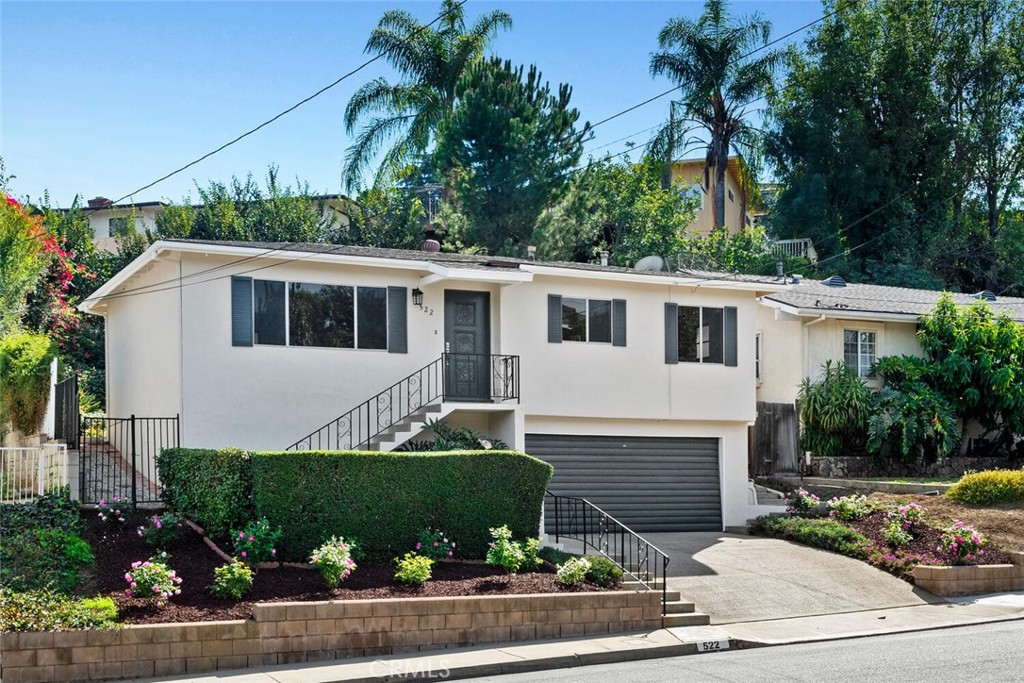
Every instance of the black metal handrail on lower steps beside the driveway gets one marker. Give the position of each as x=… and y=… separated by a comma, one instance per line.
x=579, y=520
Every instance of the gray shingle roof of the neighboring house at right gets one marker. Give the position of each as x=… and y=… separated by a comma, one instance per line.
x=879, y=300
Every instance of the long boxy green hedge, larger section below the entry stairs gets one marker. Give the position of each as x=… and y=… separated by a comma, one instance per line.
x=385, y=499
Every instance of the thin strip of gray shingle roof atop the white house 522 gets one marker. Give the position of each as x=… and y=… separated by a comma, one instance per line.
x=467, y=261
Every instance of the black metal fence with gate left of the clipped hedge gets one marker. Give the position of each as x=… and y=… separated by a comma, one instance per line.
x=118, y=457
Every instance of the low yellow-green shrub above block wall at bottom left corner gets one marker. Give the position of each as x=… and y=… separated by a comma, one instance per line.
x=46, y=611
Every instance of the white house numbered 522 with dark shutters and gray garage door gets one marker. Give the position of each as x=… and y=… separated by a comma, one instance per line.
x=638, y=388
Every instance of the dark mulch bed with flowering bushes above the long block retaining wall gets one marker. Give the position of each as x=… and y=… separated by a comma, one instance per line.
x=116, y=549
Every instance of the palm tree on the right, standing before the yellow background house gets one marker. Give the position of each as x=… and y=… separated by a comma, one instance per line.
x=711, y=62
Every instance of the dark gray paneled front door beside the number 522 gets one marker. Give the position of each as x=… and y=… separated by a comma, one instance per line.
x=467, y=346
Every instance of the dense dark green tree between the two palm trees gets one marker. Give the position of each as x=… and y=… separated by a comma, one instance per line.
x=507, y=152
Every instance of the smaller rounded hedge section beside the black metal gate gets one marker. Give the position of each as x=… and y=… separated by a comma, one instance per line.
x=214, y=488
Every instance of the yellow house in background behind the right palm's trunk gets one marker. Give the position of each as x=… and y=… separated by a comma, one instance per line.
x=691, y=174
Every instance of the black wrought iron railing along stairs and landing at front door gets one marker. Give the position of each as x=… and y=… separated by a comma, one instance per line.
x=467, y=377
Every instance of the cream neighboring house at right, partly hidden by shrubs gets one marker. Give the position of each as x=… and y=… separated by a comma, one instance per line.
x=802, y=327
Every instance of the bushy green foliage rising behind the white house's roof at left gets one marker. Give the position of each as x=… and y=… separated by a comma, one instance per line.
x=241, y=211
